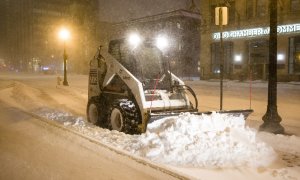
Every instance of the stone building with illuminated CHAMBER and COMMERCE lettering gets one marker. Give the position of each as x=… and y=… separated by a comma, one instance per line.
x=246, y=40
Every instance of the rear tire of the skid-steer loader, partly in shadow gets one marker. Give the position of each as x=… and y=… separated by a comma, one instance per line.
x=96, y=113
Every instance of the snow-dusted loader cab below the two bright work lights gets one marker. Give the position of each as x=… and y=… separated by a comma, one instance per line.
x=146, y=62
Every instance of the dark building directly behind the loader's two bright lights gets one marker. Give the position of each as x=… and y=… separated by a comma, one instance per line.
x=181, y=27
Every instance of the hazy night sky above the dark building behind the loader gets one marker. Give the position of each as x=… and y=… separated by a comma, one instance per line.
x=121, y=10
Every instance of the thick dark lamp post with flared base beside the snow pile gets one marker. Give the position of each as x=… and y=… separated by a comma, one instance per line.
x=271, y=118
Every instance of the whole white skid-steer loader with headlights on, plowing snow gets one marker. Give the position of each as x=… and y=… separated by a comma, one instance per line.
x=131, y=85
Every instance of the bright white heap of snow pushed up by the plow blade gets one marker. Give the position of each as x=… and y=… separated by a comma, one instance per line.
x=217, y=140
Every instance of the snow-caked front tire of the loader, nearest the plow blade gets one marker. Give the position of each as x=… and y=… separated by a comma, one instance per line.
x=124, y=117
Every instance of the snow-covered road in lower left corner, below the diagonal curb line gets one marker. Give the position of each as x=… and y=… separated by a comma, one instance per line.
x=31, y=148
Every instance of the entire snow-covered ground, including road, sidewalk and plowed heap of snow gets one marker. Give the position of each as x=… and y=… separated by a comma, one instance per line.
x=44, y=135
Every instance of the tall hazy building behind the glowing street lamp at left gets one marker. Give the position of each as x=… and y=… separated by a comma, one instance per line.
x=29, y=32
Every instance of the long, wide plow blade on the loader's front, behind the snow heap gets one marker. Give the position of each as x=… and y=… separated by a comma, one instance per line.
x=158, y=115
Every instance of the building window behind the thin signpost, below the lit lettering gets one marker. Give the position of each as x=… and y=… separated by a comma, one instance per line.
x=216, y=57
